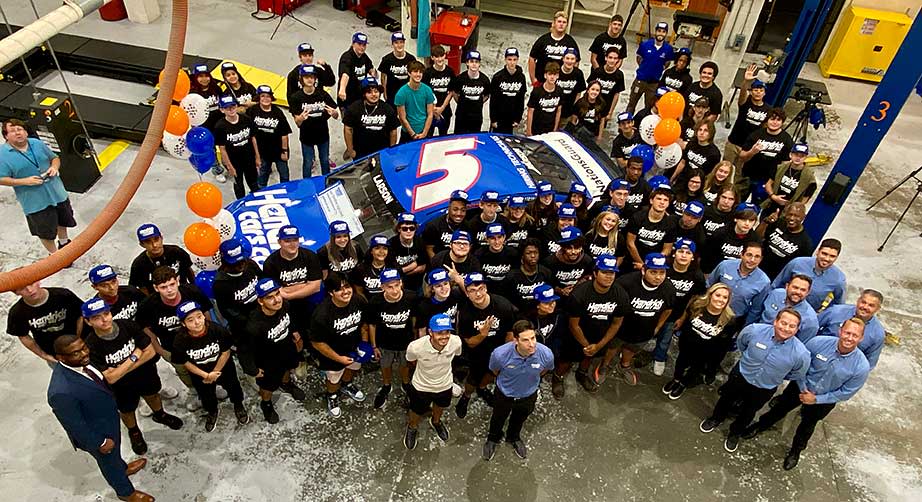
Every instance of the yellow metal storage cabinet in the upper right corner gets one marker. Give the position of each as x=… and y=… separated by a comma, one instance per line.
x=864, y=43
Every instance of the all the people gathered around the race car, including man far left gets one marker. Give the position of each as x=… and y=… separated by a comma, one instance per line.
x=490, y=299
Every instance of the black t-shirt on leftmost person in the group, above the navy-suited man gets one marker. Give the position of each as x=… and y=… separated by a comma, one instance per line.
x=46, y=322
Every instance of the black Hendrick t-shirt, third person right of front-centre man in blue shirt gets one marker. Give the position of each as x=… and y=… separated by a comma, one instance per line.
x=644, y=308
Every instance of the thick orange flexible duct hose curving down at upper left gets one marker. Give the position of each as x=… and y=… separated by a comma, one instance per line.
x=45, y=267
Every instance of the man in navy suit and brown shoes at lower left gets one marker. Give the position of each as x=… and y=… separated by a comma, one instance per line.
x=85, y=407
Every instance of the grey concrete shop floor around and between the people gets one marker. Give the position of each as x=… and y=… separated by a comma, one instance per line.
x=624, y=443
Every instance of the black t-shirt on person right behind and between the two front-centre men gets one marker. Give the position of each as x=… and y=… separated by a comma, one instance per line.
x=471, y=318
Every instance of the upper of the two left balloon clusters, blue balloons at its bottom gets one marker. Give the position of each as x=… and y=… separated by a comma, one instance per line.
x=183, y=136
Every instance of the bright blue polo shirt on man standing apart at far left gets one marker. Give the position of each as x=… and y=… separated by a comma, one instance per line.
x=33, y=162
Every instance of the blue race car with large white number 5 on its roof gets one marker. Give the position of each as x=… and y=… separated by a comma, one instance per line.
x=418, y=177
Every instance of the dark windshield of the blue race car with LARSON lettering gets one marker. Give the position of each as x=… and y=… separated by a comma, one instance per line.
x=370, y=194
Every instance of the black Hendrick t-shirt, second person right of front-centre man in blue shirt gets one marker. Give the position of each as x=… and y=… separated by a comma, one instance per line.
x=596, y=311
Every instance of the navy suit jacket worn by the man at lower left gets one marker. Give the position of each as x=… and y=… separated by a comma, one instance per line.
x=85, y=409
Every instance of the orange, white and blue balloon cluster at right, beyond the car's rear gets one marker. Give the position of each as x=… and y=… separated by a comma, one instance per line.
x=661, y=130
